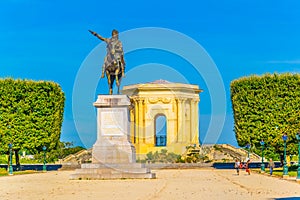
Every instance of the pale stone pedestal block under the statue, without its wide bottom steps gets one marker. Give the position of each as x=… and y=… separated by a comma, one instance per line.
x=112, y=145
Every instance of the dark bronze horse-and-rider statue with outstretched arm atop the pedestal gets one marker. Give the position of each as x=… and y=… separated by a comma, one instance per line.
x=114, y=64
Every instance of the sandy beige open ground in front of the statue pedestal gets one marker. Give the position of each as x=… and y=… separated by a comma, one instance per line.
x=170, y=184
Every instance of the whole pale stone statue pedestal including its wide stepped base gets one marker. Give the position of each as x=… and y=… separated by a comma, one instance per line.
x=113, y=155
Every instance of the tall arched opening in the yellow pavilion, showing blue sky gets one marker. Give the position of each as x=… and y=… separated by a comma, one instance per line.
x=160, y=130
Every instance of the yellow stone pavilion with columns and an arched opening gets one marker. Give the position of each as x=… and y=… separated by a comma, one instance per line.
x=176, y=104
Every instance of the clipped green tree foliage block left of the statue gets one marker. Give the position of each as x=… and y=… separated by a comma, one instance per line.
x=31, y=114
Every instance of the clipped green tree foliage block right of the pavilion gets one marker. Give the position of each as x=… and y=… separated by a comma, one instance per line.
x=265, y=107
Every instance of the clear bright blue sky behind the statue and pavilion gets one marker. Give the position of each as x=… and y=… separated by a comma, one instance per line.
x=48, y=40
